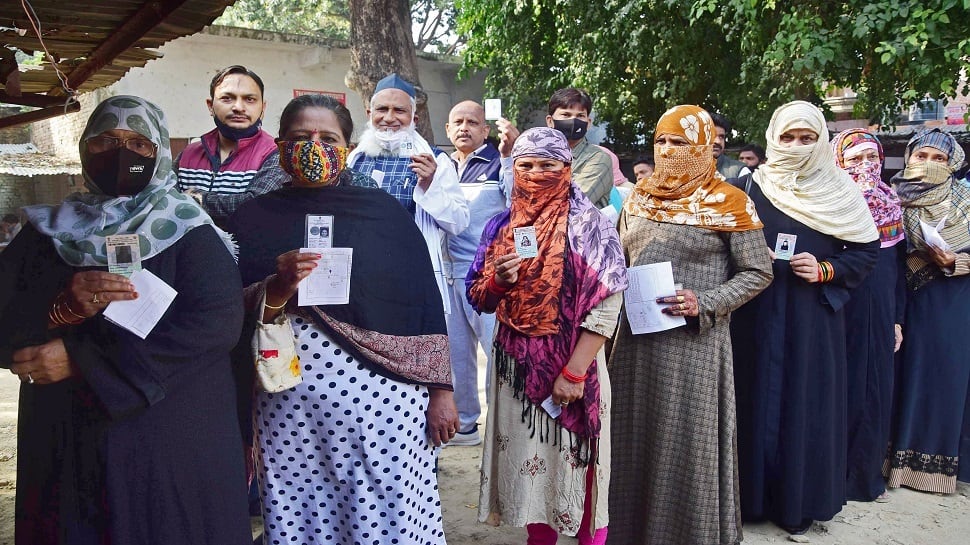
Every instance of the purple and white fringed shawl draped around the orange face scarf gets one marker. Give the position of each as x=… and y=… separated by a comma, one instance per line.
x=593, y=268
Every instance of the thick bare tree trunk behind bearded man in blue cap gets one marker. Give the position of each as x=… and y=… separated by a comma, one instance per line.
x=381, y=43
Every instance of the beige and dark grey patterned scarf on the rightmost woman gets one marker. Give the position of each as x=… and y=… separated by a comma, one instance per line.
x=929, y=193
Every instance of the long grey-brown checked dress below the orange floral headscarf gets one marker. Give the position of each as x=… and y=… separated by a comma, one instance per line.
x=675, y=477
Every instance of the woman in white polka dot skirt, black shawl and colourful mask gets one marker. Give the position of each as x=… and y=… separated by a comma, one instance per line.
x=348, y=455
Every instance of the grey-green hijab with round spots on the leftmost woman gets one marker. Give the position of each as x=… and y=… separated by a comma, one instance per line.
x=159, y=214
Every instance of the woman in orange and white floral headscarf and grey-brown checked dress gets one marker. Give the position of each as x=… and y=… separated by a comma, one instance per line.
x=674, y=391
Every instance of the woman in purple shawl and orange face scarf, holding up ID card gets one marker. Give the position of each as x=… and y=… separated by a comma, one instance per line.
x=546, y=464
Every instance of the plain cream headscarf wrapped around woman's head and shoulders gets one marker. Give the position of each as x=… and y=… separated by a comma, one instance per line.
x=805, y=184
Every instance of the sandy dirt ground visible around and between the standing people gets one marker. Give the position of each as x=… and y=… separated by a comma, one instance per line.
x=910, y=518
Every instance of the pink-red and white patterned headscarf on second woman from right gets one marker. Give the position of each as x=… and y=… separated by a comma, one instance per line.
x=882, y=199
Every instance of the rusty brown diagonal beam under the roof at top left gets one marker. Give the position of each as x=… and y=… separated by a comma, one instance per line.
x=128, y=33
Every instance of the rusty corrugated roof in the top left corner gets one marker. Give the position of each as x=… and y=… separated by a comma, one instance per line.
x=95, y=41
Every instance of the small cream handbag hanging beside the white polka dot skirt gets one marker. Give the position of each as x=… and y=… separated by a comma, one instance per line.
x=274, y=350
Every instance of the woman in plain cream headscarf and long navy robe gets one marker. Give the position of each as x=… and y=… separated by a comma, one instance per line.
x=789, y=342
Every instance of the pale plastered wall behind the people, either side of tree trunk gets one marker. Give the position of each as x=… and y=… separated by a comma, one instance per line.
x=179, y=82
